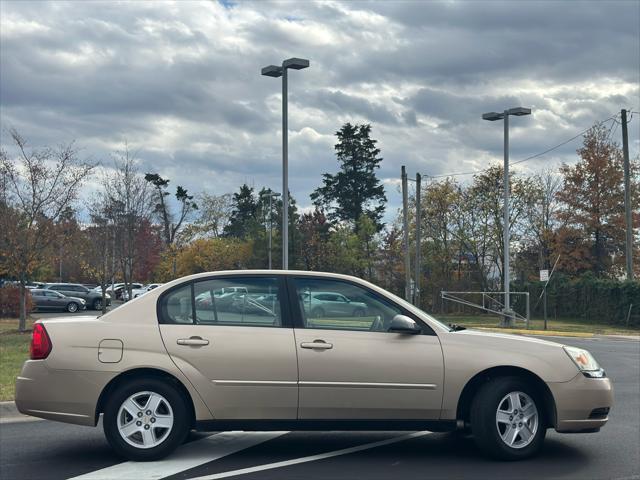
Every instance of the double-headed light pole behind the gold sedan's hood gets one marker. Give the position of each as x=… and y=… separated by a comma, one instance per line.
x=493, y=116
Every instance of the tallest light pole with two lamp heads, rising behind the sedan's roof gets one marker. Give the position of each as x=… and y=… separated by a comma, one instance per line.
x=276, y=71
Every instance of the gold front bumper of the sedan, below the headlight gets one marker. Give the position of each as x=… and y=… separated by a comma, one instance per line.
x=580, y=403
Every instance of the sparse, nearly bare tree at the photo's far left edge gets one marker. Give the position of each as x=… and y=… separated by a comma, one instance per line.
x=38, y=185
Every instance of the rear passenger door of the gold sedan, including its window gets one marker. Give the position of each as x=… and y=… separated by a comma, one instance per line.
x=241, y=356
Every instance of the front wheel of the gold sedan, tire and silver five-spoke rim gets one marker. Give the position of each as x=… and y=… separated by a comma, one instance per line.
x=507, y=419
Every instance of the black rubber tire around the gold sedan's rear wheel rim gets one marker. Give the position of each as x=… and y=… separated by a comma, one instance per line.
x=179, y=430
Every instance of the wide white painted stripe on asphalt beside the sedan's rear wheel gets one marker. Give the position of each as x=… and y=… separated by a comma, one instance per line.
x=188, y=456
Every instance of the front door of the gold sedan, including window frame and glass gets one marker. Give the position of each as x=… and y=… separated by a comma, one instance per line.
x=353, y=368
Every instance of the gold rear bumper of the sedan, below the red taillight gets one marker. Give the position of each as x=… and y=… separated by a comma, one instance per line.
x=67, y=396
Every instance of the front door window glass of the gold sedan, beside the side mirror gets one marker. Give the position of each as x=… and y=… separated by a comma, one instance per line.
x=339, y=305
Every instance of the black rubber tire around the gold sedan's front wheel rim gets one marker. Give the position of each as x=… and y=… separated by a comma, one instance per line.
x=483, y=419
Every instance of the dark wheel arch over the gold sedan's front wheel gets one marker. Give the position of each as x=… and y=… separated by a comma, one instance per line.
x=473, y=385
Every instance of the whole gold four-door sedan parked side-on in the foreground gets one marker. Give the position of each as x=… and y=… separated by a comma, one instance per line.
x=164, y=364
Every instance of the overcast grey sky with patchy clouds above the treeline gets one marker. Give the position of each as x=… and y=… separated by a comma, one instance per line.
x=180, y=82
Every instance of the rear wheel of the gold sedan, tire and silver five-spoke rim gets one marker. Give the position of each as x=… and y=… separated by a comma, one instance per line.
x=146, y=420
